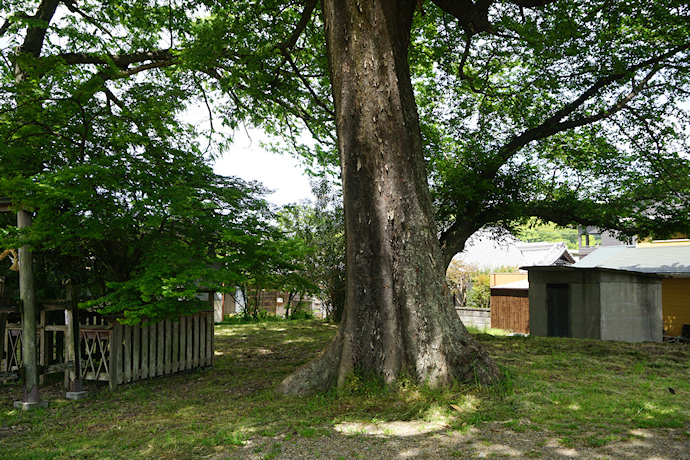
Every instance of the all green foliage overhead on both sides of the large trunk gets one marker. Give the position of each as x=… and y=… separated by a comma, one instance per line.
x=573, y=112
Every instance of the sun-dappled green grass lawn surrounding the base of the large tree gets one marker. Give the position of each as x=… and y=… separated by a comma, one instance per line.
x=578, y=394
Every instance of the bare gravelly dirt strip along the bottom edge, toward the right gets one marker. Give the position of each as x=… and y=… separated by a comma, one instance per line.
x=417, y=440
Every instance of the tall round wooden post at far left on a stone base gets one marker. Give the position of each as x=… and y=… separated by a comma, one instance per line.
x=27, y=294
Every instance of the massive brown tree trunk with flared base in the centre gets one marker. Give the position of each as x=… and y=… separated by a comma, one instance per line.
x=398, y=317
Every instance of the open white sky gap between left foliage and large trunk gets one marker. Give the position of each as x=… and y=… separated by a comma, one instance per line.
x=282, y=173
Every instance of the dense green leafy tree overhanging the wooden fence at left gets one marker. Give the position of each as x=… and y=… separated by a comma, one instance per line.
x=92, y=140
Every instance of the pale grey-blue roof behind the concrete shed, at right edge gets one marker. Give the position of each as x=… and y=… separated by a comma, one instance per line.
x=671, y=260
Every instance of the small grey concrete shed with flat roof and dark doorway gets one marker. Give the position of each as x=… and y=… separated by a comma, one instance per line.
x=595, y=303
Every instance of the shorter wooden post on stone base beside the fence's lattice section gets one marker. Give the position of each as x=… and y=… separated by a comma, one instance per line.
x=75, y=389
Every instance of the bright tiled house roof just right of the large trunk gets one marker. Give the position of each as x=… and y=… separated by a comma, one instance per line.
x=486, y=252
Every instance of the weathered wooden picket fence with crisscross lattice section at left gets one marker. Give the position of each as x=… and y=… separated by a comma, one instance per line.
x=118, y=353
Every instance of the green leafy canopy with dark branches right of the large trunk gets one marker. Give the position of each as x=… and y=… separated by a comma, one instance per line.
x=576, y=113
